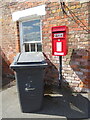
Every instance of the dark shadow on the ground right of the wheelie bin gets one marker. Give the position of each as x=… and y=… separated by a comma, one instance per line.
x=67, y=104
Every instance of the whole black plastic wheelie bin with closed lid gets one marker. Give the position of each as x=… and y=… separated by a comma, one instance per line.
x=29, y=72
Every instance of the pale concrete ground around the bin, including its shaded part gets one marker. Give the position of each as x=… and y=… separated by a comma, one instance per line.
x=62, y=104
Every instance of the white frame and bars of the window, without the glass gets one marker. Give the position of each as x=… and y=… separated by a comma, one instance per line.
x=22, y=43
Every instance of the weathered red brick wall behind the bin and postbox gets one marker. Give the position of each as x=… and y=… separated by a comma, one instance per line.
x=76, y=65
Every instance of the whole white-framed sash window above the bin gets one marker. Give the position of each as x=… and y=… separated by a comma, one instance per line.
x=30, y=34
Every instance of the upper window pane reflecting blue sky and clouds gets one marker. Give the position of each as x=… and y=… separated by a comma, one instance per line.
x=31, y=31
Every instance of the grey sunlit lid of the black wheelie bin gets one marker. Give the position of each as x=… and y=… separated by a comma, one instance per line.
x=27, y=59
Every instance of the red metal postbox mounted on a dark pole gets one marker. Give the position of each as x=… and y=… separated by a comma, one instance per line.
x=59, y=40
